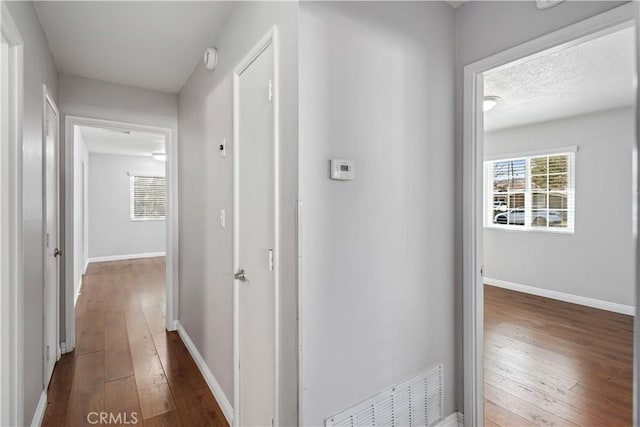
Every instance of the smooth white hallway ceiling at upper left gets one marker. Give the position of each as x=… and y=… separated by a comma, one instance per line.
x=149, y=44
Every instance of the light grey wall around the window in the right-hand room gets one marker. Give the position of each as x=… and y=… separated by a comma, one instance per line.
x=598, y=260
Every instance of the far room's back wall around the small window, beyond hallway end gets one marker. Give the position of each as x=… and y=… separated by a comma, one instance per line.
x=111, y=232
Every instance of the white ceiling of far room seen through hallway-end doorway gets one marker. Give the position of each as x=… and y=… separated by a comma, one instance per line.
x=106, y=141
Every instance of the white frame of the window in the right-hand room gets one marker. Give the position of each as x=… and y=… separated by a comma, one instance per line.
x=488, y=194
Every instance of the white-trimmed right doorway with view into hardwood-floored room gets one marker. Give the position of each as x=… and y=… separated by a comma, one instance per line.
x=550, y=279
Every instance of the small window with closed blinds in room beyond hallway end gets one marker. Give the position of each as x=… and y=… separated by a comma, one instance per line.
x=148, y=198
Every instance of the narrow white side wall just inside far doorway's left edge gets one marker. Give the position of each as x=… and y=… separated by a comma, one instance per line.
x=80, y=207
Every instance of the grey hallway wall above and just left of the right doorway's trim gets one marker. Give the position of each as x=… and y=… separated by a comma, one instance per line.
x=484, y=28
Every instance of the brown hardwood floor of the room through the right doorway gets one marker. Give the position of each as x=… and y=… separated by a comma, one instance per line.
x=551, y=363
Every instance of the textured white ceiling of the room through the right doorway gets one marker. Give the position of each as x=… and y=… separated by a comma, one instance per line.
x=592, y=76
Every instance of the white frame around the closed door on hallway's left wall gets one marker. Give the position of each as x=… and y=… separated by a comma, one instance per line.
x=47, y=101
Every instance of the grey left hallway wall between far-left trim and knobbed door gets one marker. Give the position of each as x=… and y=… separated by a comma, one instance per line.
x=39, y=69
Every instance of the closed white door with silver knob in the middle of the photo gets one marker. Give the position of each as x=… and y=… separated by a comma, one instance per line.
x=255, y=235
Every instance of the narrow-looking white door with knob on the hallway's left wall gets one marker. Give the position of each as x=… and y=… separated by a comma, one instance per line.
x=51, y=243
